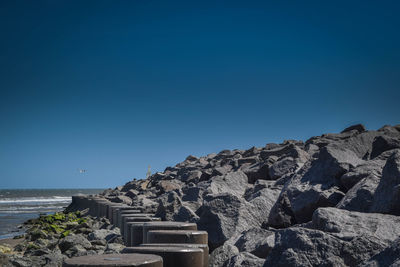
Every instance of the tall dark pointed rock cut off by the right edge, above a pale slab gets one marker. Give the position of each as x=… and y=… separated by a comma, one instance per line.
x=387, y=195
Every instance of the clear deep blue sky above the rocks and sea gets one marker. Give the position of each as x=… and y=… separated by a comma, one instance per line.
x=115, y=86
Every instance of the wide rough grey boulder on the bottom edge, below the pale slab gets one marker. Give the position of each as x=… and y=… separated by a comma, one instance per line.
x=307, y=247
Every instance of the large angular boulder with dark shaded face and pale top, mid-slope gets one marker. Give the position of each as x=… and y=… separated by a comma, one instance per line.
x=315, y=185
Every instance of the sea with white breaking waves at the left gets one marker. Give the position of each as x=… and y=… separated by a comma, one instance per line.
x=20, y=205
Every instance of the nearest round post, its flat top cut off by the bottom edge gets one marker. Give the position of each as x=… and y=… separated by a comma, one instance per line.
x=121, y=260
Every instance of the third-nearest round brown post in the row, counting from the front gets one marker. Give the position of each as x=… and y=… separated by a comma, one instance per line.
x=177, y=236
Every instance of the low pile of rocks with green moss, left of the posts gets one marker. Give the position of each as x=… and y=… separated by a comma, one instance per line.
x=51, y=239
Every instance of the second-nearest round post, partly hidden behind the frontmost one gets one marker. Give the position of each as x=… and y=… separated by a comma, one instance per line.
x=172, y=256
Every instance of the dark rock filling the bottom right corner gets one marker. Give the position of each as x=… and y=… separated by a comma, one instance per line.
x=389, y=257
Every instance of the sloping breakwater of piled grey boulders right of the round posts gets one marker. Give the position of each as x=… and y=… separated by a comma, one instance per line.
x=332, y=200
